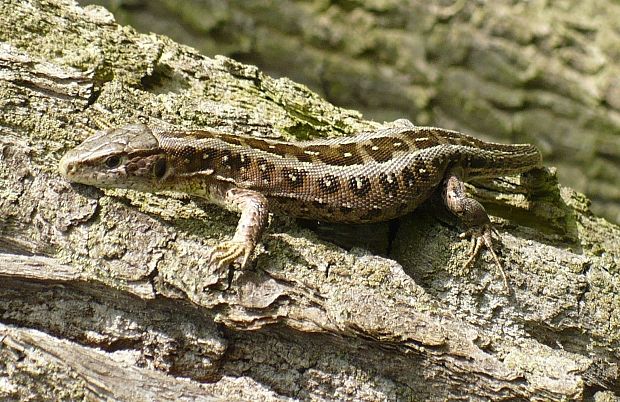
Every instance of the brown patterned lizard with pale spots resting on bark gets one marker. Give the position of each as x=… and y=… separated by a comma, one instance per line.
x=369, y=177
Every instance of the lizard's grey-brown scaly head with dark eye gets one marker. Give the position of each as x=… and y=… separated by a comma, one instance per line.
x=125, y=157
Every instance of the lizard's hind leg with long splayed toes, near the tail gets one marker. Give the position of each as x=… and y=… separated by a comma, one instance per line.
x=474, y=217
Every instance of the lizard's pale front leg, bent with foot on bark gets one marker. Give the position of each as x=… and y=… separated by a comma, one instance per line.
x=254, y=212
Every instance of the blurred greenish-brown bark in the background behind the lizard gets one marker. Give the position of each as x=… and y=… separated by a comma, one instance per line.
x=543, y=72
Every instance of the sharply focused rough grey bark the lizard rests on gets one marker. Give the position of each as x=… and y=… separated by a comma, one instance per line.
x=106, y=295
